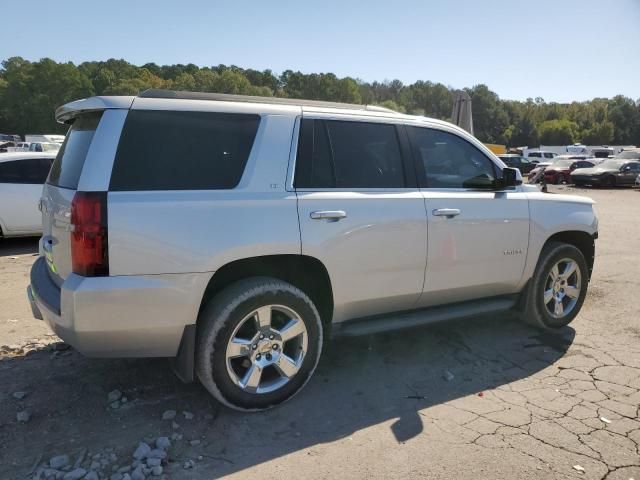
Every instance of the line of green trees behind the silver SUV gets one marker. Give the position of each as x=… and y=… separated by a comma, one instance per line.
x=31, y=91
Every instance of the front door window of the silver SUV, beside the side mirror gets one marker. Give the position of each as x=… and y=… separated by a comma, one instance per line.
x=449, y=161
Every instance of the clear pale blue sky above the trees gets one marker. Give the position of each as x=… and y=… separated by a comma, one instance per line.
x=560, y=50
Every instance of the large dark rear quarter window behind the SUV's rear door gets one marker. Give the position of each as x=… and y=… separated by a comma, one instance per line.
x=172, y=150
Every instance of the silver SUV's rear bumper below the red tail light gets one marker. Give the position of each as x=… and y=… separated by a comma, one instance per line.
x=123, y=316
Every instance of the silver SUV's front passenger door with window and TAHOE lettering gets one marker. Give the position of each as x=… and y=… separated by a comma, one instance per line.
x=478, y=237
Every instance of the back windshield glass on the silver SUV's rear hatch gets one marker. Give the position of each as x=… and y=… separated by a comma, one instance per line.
x=68, y=164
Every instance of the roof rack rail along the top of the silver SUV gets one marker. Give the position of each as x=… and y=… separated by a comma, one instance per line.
x=225, y=97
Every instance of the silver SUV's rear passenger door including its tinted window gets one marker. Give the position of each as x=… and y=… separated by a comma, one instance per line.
x=361, y=213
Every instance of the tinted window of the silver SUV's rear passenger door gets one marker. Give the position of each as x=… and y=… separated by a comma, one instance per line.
x=342, y=154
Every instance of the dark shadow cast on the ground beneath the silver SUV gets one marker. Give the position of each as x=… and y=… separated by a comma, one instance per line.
x=360, y=382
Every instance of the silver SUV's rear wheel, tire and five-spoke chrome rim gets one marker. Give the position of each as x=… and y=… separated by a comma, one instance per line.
x=258, y=343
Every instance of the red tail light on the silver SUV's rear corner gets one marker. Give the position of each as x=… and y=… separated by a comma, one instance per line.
x=89, y=247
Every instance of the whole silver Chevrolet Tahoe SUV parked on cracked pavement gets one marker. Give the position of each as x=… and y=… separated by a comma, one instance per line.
x=232, y=234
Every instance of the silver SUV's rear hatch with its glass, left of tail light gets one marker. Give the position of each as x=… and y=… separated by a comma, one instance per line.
x=58, y=194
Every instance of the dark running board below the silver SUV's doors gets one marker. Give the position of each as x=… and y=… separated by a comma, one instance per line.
x=416, y=318
